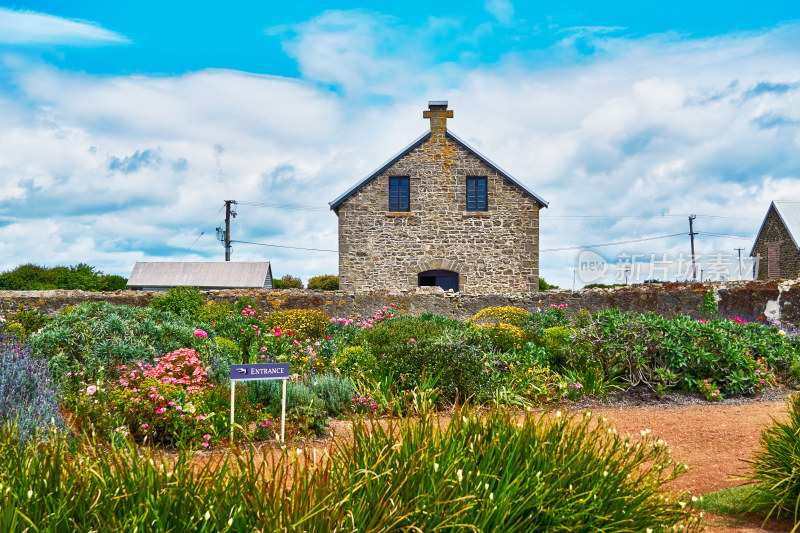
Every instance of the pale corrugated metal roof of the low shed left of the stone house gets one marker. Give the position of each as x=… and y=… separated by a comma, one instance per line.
x=205, y=275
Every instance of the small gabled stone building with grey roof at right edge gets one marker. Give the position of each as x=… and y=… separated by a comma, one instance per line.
x=776, y=254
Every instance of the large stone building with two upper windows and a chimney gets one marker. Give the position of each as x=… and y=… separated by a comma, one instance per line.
x=439, y=214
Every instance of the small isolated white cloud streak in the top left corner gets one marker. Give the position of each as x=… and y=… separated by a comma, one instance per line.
x=31, y=28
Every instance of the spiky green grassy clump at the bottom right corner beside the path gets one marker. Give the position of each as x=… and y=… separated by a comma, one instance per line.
x=774, y=467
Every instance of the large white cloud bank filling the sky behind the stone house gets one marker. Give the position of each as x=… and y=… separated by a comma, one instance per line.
x=106, y=170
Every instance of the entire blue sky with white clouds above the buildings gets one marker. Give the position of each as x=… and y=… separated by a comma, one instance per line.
x=125, y=125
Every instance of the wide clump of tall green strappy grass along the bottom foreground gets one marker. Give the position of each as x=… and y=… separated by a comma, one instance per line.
x=491, y=472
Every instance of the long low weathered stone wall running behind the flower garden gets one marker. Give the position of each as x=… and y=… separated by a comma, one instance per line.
x=777, y=300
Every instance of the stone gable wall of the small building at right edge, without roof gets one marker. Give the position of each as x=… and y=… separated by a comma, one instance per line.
x=775, y=233
